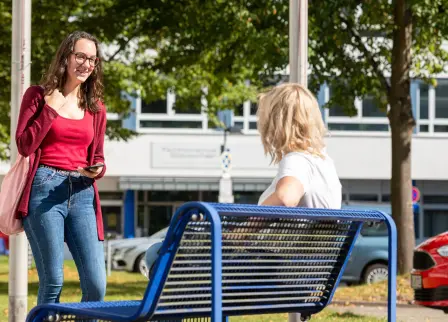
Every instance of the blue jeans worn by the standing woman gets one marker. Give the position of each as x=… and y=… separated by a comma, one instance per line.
x=61, y=208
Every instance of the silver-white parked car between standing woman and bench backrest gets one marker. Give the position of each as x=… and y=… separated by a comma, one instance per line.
x=131, y=256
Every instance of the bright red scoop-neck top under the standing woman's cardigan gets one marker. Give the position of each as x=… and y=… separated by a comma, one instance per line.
x=66, y=143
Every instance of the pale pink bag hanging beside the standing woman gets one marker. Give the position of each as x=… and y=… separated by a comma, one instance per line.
x=11, y=191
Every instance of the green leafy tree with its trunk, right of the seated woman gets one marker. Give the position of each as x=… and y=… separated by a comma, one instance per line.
x=372, y=47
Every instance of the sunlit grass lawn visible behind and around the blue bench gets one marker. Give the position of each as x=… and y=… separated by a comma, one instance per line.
x=128, y=286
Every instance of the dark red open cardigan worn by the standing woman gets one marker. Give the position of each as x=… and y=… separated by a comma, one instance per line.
x=35, y=121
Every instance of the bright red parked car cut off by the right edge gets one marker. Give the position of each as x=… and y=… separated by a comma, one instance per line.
x=429, y=277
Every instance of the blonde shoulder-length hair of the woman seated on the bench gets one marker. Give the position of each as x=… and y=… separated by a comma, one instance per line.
x=289, y=120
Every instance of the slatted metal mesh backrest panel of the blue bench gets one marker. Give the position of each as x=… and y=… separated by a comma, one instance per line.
x=267, y=265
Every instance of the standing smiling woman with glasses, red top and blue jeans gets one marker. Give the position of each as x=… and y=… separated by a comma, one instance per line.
x=61, y=128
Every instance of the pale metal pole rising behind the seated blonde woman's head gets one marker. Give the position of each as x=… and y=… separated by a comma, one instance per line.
x=298, y=59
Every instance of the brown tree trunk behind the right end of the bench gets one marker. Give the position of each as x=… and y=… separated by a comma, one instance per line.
x=402, y=124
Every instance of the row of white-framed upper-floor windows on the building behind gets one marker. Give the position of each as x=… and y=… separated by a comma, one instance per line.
x=430, y=108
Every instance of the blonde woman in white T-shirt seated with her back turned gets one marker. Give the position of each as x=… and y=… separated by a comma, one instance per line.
x=292, y=132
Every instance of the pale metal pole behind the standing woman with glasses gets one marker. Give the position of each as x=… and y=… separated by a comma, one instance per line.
x=20, y=81
